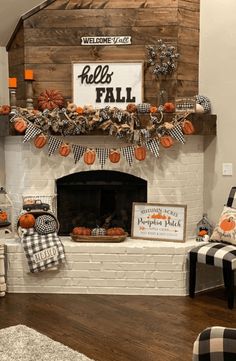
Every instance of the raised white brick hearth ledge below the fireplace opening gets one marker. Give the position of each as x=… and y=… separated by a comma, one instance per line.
x=132, y=267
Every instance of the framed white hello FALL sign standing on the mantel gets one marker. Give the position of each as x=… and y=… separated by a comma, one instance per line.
x=104, y=84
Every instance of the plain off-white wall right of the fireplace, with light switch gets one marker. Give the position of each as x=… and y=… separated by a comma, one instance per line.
x=217, y=81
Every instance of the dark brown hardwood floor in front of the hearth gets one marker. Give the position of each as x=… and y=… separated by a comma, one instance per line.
x=120, y=328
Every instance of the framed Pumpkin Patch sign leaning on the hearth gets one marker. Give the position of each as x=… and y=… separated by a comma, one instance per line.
x=163, y=222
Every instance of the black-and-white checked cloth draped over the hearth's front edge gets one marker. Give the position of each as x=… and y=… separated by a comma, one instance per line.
x=42, y=251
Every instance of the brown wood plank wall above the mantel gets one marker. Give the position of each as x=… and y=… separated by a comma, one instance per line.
x=48, y=41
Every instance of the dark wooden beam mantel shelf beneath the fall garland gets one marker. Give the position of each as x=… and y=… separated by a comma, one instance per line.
x=204, y=124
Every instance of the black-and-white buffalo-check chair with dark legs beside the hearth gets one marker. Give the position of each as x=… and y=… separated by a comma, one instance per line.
x=216, y=254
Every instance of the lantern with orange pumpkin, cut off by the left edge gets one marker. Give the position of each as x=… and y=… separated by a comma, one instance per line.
x=6, y=214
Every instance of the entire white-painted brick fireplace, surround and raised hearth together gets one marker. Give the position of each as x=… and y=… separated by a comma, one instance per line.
x=130, y=267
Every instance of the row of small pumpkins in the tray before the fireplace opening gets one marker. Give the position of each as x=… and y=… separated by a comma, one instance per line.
x=98, y=231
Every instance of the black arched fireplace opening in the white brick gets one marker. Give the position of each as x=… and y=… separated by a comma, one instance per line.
x=99, y=198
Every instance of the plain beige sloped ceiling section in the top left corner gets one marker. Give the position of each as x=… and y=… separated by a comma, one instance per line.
x=11, y=11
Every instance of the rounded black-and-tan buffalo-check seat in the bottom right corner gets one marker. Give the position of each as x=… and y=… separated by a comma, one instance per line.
x=215, y=344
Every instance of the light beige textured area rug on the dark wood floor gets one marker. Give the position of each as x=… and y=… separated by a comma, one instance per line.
x=21, y=343
